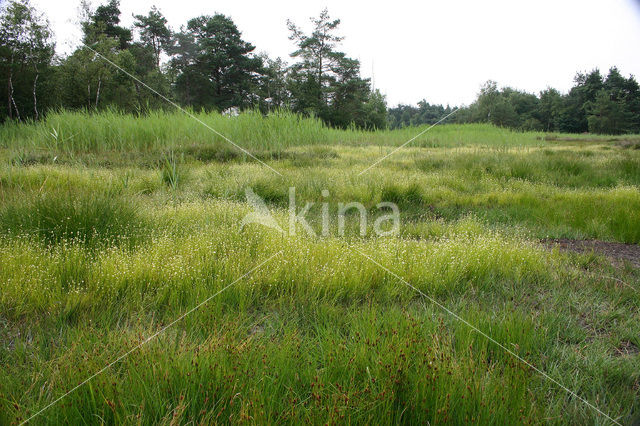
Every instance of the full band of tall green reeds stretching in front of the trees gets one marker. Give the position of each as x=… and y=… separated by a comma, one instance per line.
x=110, y=130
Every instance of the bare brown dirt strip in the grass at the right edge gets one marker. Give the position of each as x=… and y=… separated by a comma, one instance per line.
x=617, y=252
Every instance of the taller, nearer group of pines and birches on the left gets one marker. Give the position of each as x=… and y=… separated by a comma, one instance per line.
x=206, y=65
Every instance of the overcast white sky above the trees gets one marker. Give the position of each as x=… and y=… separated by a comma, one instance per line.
x=438, y=50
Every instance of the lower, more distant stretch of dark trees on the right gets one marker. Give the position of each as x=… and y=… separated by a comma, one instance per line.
x=594, y=104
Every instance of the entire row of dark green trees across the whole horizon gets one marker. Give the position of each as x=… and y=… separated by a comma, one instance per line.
x=207, y=65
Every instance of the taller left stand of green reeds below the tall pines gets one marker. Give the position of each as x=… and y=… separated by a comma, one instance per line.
x=111, y=130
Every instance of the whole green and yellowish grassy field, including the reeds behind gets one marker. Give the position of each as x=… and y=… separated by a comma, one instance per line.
x=107, y=239
